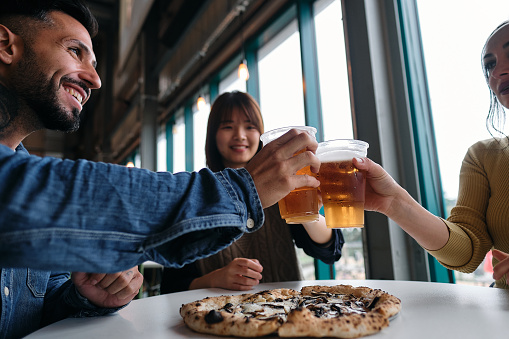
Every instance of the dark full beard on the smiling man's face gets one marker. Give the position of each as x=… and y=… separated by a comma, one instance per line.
x=33, y=87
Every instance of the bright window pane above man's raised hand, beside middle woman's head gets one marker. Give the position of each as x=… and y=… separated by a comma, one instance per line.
x=280, y=73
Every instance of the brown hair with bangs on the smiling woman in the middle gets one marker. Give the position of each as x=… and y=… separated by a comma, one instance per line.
x=222, y=110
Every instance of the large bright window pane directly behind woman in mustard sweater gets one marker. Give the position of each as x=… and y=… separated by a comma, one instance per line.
x=459, y=94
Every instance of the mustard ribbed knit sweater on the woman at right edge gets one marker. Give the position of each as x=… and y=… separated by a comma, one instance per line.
x=480, y=219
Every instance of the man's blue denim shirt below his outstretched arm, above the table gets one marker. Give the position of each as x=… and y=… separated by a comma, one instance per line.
x=31, y=299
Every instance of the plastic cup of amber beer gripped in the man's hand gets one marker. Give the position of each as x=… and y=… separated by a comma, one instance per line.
x=301, y=204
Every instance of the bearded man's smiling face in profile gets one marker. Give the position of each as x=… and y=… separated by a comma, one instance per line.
x=56, y=73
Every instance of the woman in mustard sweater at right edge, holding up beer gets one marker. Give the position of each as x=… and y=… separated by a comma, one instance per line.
x=480, y=220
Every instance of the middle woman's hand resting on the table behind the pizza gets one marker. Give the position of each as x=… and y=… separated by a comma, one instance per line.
x=240, y=274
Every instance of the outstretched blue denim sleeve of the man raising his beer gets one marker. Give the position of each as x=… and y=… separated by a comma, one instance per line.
x=107, y=218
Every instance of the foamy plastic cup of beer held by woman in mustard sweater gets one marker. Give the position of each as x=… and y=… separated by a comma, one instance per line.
x=342, y=185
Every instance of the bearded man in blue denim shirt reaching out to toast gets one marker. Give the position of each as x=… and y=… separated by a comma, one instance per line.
x=58, y=216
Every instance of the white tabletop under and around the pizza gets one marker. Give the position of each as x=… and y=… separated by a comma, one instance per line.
x=429, y=310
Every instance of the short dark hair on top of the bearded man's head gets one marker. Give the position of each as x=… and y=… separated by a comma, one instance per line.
x=39, y=10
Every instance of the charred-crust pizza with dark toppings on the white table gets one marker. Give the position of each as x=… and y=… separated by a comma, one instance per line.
x=340, y=311
